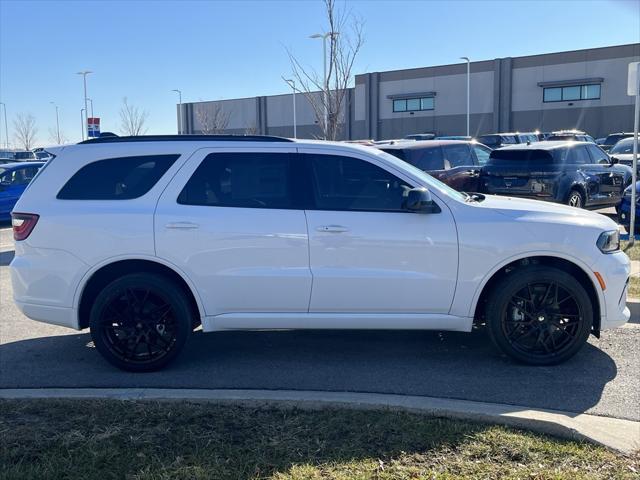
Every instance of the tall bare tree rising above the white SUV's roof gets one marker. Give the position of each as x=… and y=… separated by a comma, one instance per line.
x=327, y=96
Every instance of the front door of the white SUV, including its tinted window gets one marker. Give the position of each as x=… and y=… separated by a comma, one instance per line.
x=368, y=254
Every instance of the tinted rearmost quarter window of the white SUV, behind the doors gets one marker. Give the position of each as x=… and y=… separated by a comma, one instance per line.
x=120, y=178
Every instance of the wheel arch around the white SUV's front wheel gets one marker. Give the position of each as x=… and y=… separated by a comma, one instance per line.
x=570, y=265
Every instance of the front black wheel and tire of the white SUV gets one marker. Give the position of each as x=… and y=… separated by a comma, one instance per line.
x=539, y=315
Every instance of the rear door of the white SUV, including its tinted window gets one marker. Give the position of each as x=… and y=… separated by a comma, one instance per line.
x=231, y=219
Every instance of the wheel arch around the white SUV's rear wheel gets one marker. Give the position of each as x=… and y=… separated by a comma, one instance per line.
x=109, y=270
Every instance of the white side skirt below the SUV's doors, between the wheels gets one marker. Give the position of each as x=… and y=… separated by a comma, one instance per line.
x=335, y=321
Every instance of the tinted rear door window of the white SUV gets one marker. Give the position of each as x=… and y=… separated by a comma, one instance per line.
x=235, y=179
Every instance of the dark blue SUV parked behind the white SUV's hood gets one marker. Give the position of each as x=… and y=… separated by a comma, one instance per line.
x=578, y=174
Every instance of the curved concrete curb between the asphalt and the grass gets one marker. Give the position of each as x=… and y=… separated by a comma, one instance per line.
x=617, y=434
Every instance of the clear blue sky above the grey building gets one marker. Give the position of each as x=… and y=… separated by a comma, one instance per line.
x=227, y=49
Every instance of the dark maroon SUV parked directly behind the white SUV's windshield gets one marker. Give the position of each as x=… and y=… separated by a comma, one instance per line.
x=454, y=162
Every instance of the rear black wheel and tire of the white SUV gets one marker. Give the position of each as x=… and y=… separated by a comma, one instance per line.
x=140, y=322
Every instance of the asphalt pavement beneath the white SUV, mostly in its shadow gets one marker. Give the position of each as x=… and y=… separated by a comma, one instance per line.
x=603, y=379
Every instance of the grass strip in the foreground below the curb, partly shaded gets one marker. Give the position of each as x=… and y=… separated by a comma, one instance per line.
x=87, y=440
